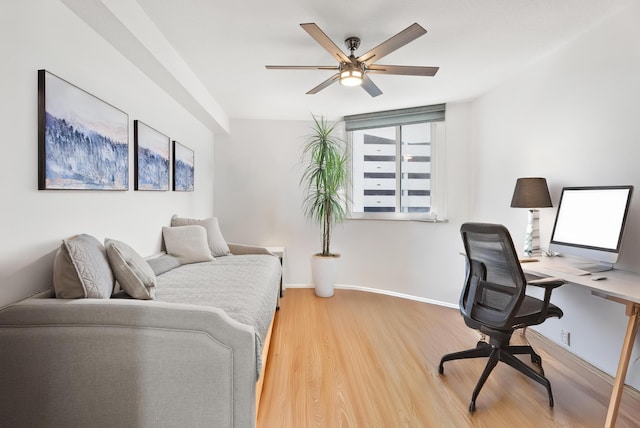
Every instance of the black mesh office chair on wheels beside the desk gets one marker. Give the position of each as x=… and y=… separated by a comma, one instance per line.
x=493, y=301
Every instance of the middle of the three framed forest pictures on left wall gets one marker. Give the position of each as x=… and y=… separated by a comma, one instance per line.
x=151, y=161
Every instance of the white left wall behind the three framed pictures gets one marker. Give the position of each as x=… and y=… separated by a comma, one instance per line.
x=45, y=34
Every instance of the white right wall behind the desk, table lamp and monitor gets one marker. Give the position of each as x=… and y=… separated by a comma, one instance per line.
x=572, y=118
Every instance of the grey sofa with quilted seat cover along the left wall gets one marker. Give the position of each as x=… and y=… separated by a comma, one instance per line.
x=189, y=358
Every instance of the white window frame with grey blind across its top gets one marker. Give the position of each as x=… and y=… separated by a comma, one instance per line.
x=434, y=114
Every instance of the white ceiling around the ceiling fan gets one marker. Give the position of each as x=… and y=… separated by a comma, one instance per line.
x=476, y=44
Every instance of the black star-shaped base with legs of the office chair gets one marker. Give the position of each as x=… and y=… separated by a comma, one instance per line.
x=497, y=351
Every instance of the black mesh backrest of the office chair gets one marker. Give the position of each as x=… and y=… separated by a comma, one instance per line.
x=494, y=275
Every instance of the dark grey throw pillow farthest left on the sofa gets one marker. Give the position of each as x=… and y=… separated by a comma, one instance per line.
x=81, y=269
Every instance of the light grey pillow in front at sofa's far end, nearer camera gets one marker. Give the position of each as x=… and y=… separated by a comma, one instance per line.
x=187, y=243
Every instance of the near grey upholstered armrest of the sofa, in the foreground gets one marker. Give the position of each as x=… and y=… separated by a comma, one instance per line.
x=91, y=362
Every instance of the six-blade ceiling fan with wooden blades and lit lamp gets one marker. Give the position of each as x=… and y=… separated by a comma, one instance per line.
x=352, y=70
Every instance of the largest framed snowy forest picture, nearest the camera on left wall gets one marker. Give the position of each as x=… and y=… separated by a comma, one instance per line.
x=83, y=142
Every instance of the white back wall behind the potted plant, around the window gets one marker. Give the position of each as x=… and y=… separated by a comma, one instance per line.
x=259, y=200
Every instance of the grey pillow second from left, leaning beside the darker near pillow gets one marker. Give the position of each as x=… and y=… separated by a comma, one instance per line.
x=132, y=272
